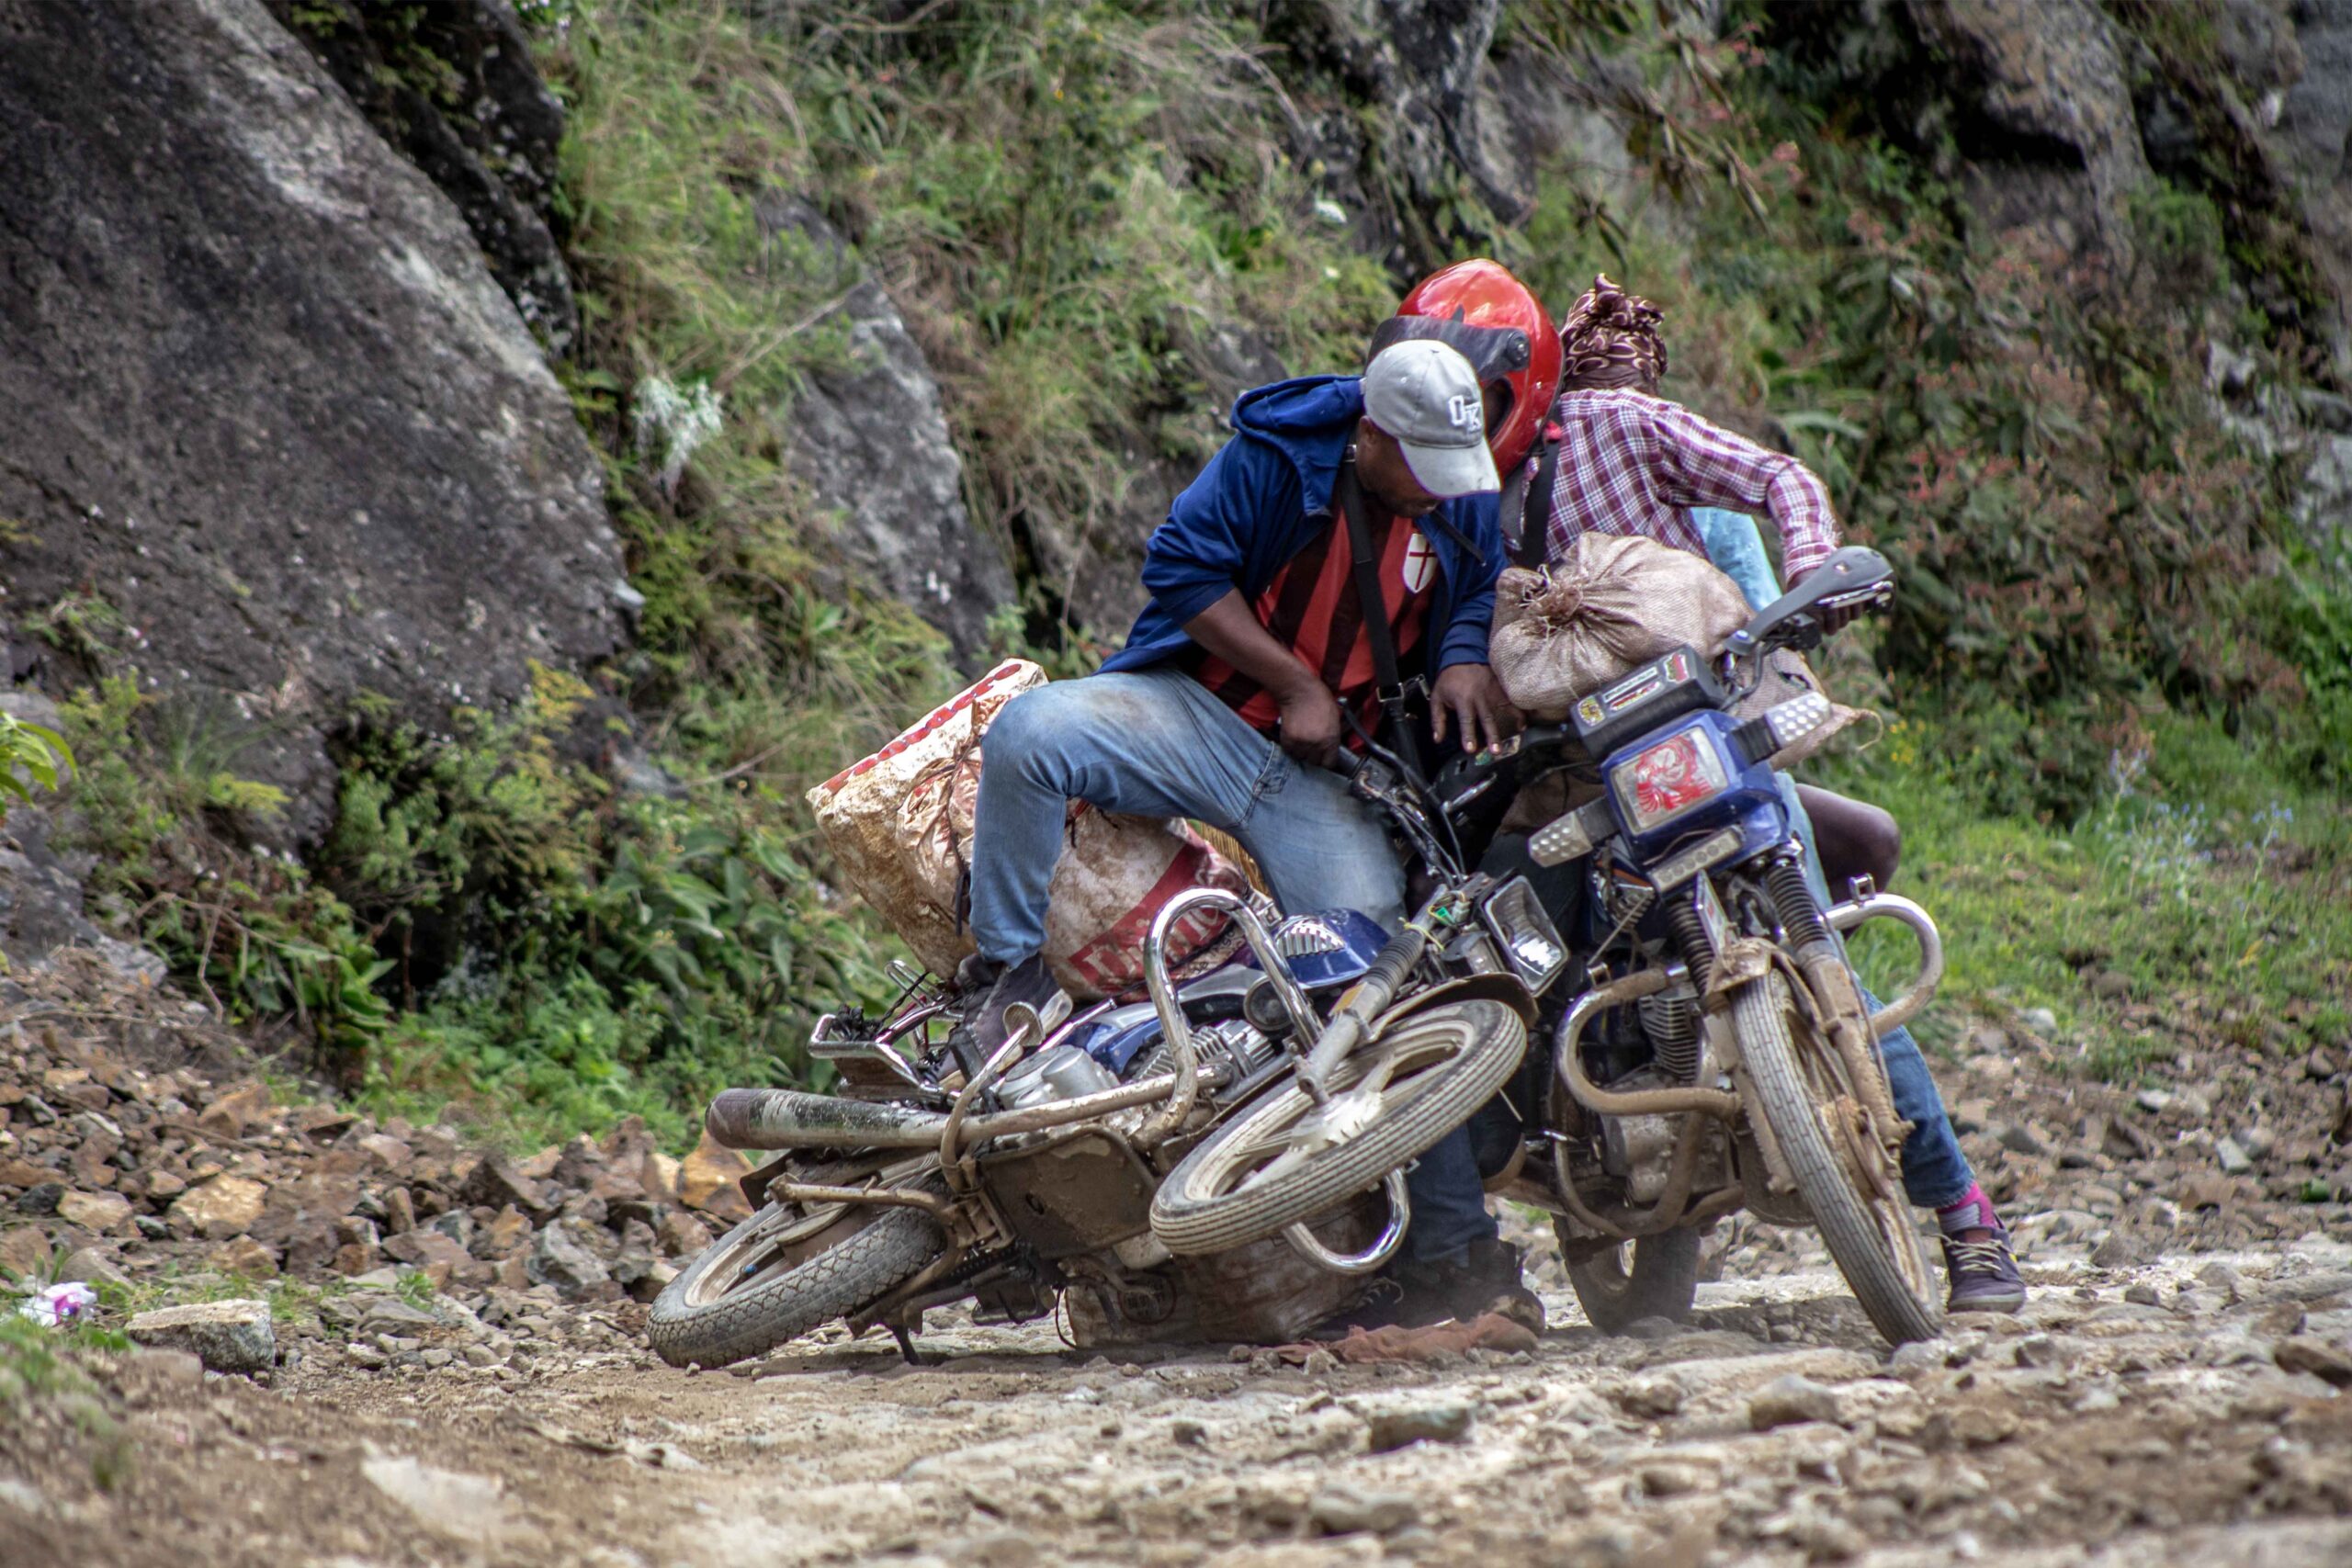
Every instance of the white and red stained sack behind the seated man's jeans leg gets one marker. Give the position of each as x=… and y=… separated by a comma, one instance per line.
x=900, y=826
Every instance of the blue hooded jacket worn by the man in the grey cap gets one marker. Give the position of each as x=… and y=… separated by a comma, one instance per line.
x=1267, y=497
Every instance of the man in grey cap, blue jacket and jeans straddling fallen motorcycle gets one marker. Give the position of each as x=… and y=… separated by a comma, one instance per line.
x=1248, y=671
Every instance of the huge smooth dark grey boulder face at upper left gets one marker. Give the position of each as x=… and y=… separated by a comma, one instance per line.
x=265, y=398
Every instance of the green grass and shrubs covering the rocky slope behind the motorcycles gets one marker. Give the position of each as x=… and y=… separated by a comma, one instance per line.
x=2118, y=657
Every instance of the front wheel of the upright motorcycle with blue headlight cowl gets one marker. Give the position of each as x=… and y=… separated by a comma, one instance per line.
x=1812, y=1113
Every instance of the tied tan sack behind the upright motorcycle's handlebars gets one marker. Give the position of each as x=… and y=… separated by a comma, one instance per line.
x=1619, y=601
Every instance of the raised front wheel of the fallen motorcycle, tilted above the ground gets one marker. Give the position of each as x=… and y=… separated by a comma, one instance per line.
x=1445, y=1064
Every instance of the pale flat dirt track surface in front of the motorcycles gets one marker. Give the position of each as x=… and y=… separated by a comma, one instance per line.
x=2179, y=1412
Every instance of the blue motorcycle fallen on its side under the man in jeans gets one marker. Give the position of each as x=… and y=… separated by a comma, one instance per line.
x=1036, y=1179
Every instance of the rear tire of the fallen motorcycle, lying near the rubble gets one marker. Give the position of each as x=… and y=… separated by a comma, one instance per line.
x=709, y=1320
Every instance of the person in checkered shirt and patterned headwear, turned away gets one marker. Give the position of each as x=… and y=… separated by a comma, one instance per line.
x=1619, y=460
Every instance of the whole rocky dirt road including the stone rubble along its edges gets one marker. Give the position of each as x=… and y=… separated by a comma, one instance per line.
x=2172, y=1395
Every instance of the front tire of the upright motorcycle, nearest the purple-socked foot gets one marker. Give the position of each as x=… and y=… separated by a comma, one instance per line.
x=1876, y=1245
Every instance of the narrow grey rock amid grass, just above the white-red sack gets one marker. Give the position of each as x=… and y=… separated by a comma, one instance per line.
x=871, y=443
